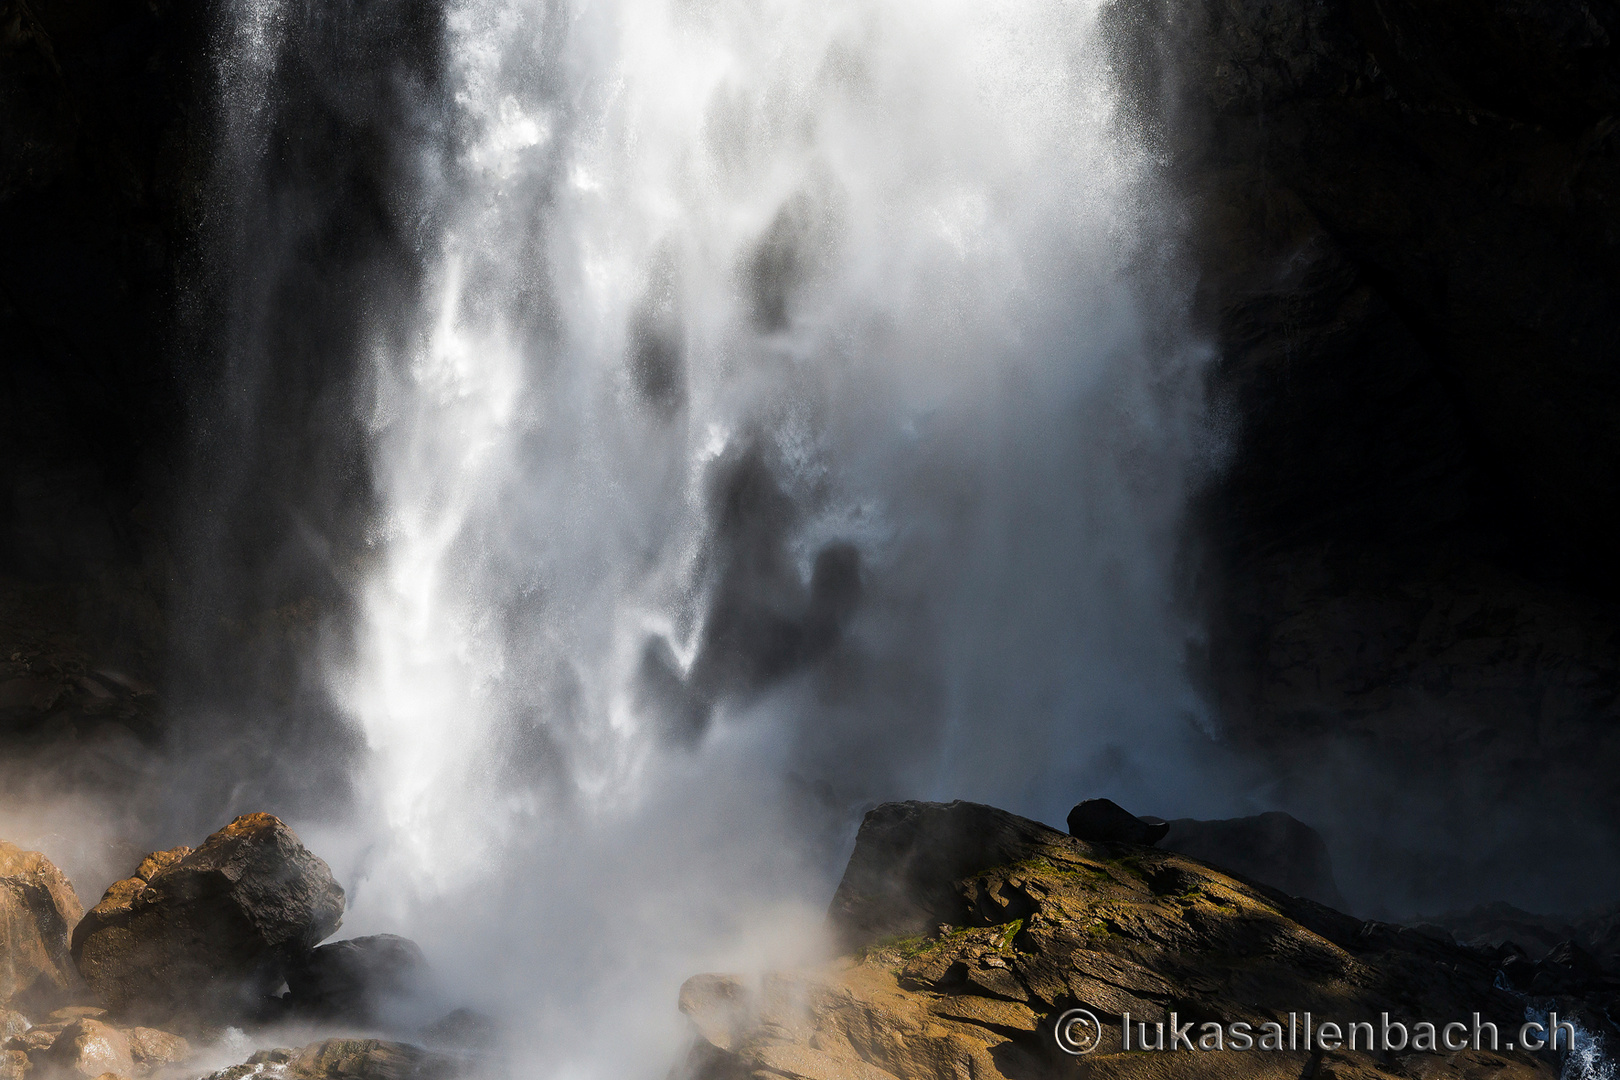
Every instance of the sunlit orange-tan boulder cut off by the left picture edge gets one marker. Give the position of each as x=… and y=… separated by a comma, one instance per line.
x=38, y=912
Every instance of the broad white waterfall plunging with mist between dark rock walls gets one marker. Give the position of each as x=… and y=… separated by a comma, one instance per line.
x=790, y=430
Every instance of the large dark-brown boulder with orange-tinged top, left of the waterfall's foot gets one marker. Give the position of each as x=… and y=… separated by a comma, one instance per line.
x=207, y=935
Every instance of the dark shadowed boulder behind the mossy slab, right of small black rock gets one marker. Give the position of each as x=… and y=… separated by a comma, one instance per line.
x=1274, y=849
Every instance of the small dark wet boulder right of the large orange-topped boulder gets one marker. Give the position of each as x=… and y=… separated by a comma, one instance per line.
x=357, y=980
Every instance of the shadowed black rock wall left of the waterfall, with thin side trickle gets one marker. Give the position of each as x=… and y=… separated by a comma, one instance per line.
x=198, y=242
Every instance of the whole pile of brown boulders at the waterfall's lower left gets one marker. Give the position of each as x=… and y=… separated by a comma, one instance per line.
x=187, y=956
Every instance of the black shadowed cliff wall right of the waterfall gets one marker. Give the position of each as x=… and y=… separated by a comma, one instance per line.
x=1409, y=223
